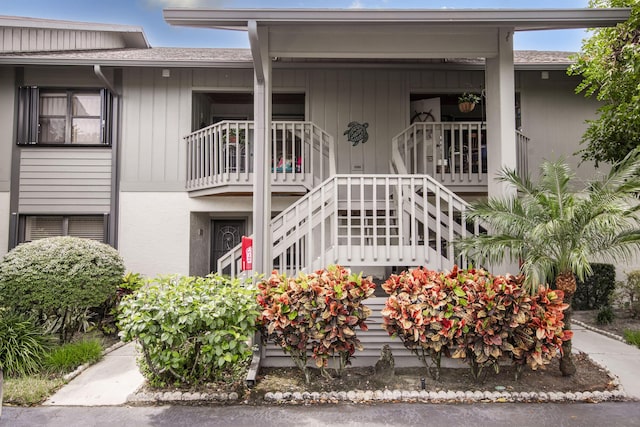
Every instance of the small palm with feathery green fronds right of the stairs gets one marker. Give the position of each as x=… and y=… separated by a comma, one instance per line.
x=555, y=230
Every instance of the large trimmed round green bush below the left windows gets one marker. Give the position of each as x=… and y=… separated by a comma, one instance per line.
x=59, y=277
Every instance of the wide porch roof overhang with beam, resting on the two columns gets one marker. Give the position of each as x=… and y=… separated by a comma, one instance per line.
x=390, y=34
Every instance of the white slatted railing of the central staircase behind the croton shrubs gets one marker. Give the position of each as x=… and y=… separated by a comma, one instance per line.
x=364, y=220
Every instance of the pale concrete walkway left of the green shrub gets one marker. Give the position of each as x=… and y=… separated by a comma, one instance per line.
x=106, y=383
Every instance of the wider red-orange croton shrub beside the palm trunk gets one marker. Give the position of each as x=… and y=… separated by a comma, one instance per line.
x=481, y=317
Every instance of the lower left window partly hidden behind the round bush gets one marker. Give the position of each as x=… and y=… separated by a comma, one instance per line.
x=86, y=226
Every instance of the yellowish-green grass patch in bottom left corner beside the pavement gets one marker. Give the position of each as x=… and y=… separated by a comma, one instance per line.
x=30, y=390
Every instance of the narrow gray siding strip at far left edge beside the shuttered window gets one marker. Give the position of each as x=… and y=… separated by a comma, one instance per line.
x=7, y=124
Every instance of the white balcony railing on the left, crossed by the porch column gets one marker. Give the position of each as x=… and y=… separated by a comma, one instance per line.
x=222, y=154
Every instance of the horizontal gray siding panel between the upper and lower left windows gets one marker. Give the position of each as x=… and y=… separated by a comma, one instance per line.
x=65, y=180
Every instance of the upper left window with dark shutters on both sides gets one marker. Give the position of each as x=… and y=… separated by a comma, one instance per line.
x=58, y=117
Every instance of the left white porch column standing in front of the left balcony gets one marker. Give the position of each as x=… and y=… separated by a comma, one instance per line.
x=262, y=261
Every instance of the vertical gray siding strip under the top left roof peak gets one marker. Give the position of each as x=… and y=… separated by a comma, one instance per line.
x=13, y=39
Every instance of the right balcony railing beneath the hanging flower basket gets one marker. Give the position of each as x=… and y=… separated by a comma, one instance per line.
x=454, y=153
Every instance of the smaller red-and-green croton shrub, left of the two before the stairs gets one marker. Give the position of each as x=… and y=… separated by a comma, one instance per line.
x=319, y=311
